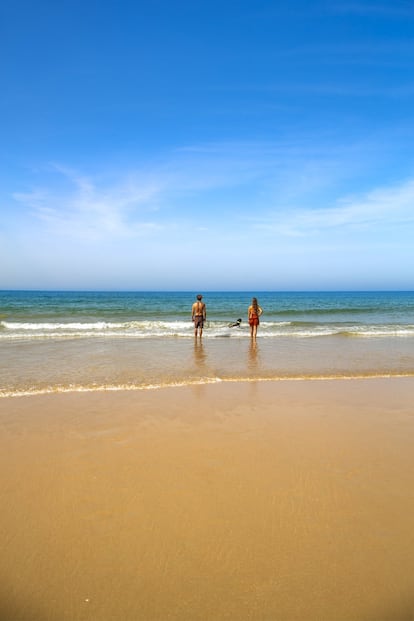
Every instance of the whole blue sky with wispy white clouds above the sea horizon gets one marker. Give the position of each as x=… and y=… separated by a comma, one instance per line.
x=174, y=144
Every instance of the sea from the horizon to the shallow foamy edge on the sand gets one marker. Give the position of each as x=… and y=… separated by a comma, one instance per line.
x=83, y=341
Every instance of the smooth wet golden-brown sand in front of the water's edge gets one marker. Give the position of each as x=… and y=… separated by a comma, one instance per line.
x=264, y=501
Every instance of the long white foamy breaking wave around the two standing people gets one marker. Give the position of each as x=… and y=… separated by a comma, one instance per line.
x=184, y=329
